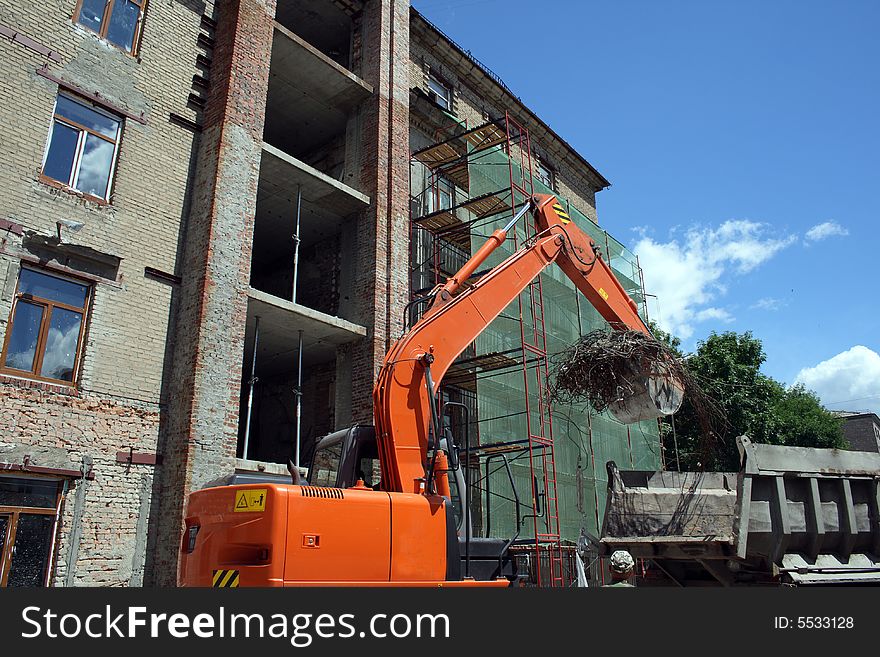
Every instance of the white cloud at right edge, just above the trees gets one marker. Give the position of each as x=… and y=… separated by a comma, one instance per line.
x=851, y=377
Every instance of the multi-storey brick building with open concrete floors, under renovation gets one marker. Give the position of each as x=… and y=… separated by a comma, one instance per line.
x=205, y=249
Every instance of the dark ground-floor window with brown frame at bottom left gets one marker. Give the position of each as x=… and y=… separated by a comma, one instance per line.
x=28, y=508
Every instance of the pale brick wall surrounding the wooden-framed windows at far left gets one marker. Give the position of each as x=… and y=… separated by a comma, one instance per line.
x=121, y=396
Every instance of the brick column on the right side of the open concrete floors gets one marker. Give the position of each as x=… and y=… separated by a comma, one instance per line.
x=382, y=250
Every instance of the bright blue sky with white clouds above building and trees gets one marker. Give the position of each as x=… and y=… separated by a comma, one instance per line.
x=742, y=140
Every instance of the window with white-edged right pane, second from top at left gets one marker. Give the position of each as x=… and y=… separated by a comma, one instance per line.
x=82, y=147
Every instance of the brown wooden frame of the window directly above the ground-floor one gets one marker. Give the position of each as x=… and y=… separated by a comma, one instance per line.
x=48, y=306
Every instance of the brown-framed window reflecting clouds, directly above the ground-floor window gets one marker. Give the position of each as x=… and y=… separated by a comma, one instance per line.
x=44, y=335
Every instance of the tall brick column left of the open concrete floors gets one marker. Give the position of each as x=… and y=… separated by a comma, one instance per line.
x=201, y=427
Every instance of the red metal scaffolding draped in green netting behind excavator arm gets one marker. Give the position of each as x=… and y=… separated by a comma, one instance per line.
x=464, y=184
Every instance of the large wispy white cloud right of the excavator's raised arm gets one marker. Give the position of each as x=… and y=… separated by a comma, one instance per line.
x=688, y=273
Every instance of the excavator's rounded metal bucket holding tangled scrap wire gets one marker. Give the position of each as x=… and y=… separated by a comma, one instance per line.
x=651, y=391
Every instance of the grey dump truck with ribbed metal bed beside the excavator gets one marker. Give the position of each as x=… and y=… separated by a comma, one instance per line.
x=791, y=515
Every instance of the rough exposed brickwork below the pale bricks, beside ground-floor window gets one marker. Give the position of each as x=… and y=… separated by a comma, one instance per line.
x=56, y=429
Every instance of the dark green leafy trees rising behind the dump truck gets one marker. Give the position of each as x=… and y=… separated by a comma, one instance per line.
x=727, y=366
